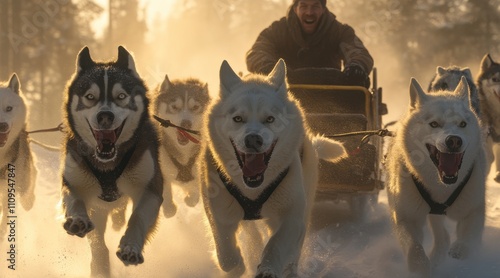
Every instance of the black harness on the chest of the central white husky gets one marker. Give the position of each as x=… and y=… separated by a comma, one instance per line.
x=251, y=207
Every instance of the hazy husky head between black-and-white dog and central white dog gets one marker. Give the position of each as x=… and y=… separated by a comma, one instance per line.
x=182, y=102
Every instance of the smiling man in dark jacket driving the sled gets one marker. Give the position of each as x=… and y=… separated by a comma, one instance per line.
x=311, y=37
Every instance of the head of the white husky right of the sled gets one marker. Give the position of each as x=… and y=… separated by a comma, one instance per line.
x=441, y=133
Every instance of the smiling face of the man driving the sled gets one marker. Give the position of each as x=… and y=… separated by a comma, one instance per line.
x=309, y=12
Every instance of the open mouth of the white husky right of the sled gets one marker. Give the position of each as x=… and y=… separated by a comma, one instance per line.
x=448, y=164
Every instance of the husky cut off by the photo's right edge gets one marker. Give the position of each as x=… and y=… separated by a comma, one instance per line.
x=488, y=83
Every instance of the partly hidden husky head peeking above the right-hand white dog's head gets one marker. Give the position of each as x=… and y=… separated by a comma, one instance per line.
x=447, y=79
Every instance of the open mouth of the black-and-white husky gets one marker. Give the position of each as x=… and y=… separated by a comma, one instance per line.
x=106, y=140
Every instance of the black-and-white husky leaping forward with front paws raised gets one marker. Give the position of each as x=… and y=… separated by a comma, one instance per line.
x=110, y=155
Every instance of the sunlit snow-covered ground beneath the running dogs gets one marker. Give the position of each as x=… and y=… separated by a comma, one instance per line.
x=337, y=245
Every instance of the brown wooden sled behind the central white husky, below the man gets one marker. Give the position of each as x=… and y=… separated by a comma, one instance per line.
x=337, y=111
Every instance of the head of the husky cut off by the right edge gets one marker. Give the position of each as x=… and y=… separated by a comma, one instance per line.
x=488, y=80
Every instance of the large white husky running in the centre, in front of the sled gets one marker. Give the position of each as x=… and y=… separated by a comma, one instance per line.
x=259, y=161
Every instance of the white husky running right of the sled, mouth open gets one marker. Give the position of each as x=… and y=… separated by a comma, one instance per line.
x=436, y=169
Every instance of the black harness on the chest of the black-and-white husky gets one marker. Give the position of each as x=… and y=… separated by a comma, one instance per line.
x=107, y=180
